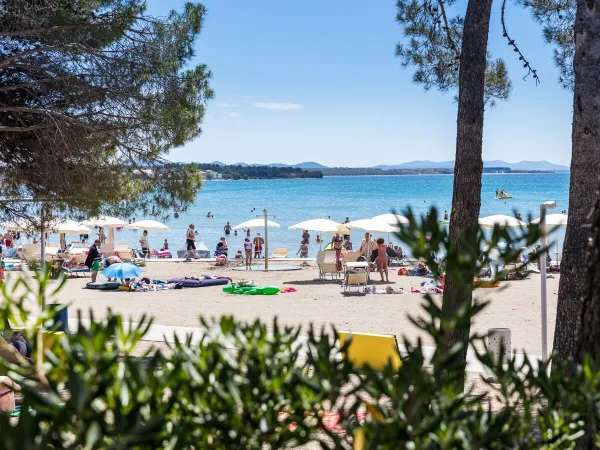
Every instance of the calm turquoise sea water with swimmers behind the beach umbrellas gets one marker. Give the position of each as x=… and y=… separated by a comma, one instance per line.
x=293, y=201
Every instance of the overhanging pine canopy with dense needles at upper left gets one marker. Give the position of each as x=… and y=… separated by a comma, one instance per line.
x=93, y=94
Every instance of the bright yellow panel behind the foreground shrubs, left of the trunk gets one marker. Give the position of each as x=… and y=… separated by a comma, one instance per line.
x=376, y=350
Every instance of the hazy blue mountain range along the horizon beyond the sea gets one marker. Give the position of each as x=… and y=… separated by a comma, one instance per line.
x=425, y=164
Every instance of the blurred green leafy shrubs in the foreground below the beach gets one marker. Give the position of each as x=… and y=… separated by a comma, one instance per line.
x=254, y=386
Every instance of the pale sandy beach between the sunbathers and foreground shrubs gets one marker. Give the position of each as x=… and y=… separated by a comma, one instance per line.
x=515, y=305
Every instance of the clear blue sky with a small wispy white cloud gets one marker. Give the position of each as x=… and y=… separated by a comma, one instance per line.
x=318, y=80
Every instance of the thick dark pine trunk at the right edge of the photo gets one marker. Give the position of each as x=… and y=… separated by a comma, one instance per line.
x=585, y=170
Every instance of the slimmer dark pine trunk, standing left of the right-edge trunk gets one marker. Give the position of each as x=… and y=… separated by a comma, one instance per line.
x=468, y=166
